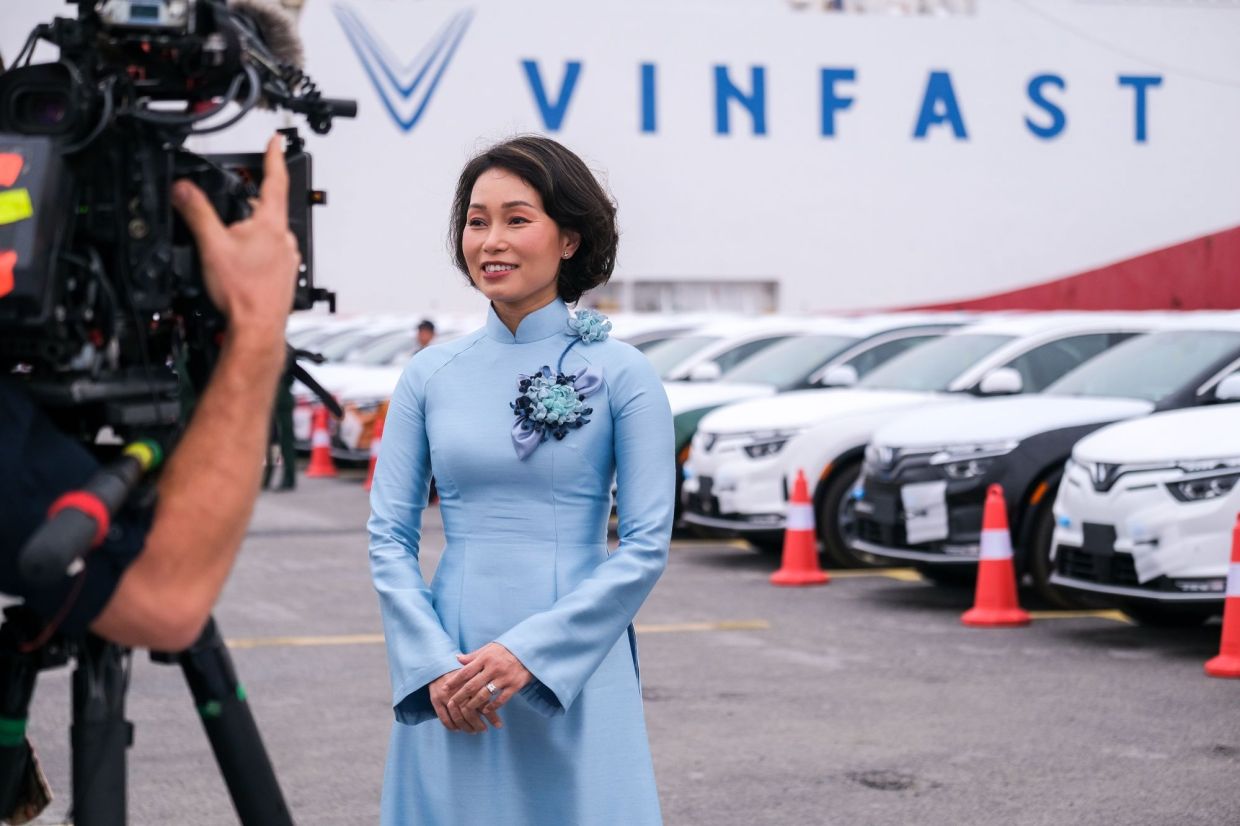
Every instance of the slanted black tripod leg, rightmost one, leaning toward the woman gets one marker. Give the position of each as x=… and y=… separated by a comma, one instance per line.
x=234, y=735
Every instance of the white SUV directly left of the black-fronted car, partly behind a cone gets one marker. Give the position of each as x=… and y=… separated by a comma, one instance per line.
x=746, y=457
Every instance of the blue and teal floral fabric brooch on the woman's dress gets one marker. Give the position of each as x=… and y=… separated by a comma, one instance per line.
x=551, y=405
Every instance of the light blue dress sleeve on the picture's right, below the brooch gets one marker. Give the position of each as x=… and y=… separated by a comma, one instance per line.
x=565, y=646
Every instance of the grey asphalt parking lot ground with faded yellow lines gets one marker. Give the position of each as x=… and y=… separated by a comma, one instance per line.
x=861, y=703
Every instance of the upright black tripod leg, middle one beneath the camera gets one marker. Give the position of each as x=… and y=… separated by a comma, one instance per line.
x=100, y=735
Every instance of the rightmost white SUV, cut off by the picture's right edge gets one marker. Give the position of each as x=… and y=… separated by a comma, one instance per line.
x=1145, y=515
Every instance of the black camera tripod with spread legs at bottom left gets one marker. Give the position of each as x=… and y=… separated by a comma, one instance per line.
x=100, y=734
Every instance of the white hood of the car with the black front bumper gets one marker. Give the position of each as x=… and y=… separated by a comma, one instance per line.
x=1005, y=420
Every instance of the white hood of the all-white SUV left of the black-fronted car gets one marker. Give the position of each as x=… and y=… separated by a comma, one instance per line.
x=805, y=409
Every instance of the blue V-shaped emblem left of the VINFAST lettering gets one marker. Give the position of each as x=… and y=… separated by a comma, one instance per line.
x=405, y=89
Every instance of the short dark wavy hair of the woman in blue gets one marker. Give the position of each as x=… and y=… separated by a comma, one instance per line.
x=571, y=195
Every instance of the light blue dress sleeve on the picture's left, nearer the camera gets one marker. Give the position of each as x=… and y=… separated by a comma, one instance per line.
x=418, y=648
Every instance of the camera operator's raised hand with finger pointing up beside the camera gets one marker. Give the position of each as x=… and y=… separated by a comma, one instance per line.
x=250, y=267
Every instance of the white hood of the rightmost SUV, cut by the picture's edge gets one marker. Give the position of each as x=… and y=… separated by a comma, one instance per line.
x=1200, y=433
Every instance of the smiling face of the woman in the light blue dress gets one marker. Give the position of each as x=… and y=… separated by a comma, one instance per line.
x=514, y=249
